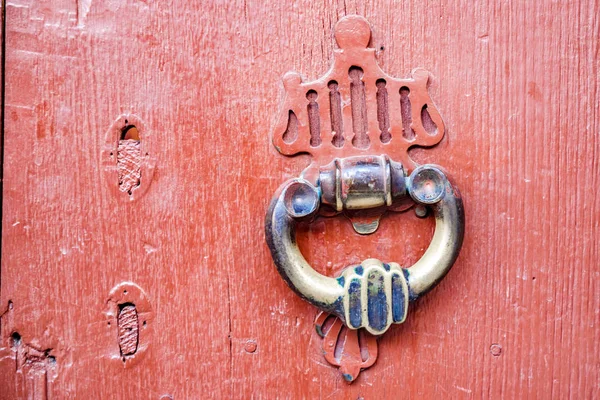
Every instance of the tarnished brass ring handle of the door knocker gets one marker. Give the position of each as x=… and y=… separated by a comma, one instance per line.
x=372, y=295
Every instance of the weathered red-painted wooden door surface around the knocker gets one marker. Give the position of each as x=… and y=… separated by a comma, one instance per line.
x=517, y=84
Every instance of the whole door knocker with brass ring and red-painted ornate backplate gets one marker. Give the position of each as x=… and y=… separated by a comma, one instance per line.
x=358, y=123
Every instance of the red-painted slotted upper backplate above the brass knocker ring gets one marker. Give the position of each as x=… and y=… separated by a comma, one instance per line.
x=356, y=108
